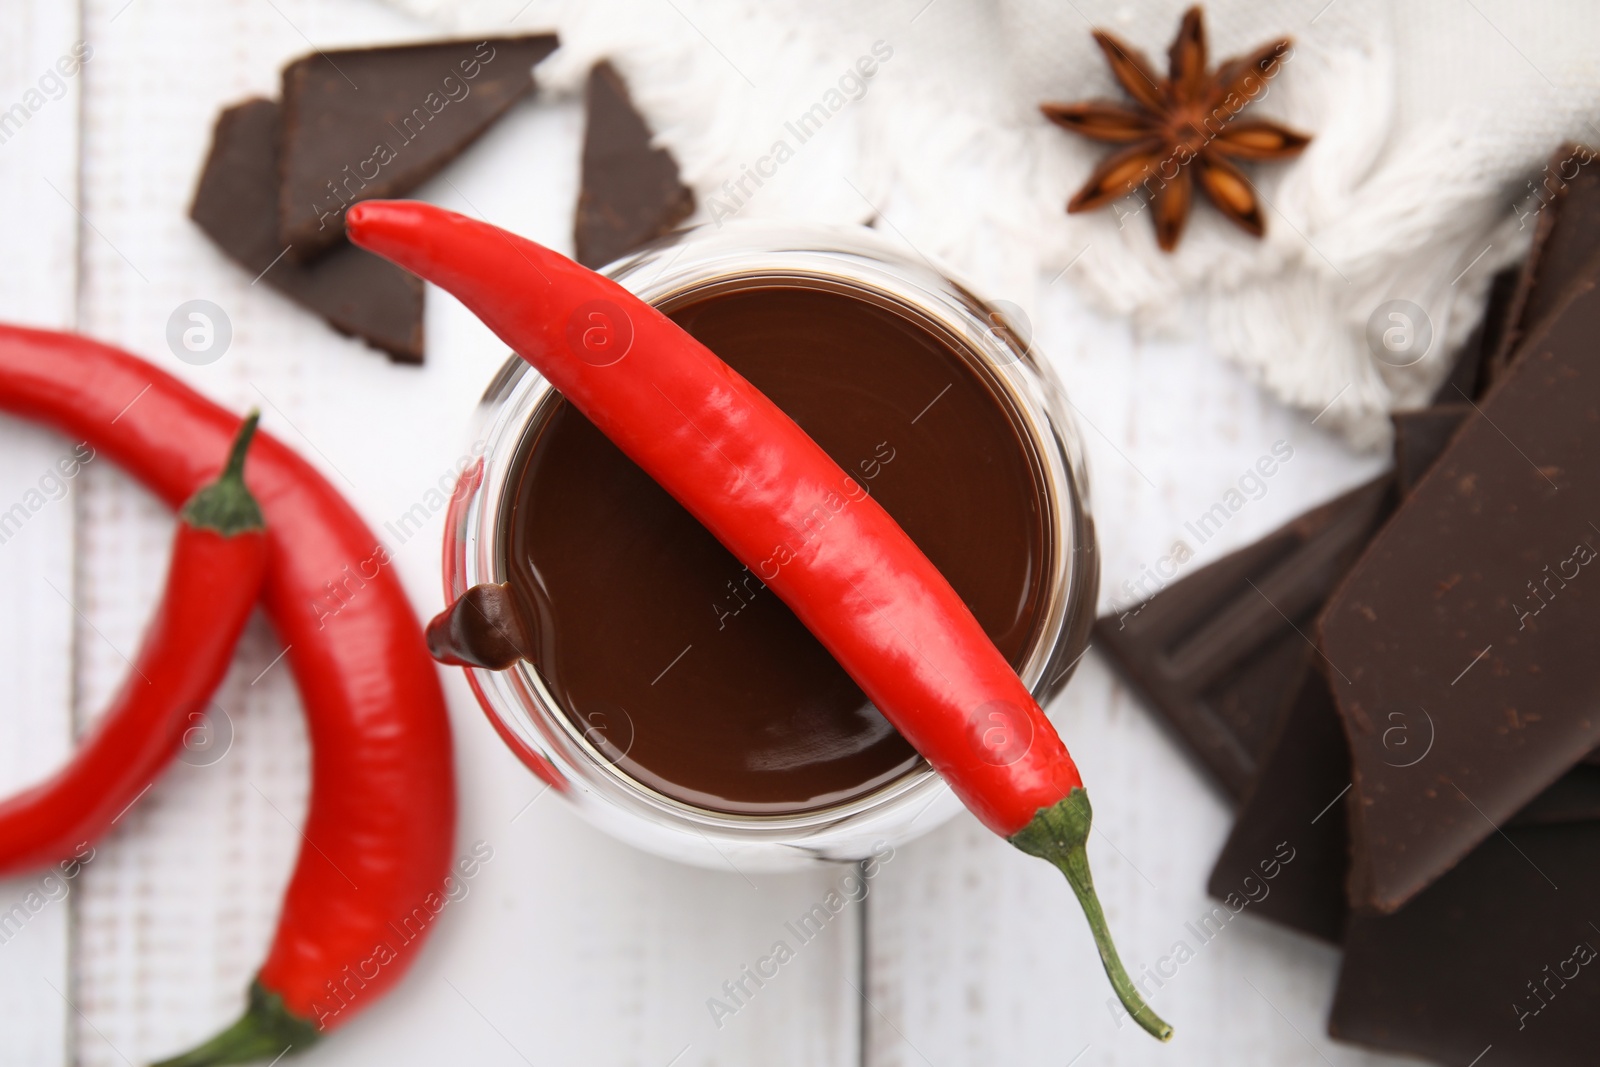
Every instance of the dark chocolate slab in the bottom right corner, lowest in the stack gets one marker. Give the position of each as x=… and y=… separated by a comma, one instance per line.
x=1489, y=956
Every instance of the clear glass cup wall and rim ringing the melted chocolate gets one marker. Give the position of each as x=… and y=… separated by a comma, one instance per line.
x=719, y=260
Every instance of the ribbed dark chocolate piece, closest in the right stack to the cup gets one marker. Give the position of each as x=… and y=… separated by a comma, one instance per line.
x=1218, y=652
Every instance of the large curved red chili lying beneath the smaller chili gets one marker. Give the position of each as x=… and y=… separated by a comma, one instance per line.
x=383, y=802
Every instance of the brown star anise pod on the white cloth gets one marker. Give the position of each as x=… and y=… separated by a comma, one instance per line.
x=1183, y=130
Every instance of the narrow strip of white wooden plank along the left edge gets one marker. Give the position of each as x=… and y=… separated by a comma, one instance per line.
x=39, y=138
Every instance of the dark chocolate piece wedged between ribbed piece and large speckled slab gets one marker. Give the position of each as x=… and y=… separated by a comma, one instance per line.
x=1297, y=804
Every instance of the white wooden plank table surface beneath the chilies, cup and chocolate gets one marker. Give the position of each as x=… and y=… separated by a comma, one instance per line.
x=572, y=949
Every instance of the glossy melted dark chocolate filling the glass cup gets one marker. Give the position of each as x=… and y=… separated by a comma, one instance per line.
x=670, y=655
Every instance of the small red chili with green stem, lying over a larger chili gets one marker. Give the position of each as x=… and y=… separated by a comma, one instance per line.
x=220, y=556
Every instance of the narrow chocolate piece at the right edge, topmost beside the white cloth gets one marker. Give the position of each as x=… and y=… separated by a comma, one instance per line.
x=1566, y=239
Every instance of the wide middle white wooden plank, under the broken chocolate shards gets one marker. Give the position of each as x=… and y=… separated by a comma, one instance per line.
x=570, y=948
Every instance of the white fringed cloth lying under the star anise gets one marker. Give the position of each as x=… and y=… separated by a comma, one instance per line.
x=1431, y=122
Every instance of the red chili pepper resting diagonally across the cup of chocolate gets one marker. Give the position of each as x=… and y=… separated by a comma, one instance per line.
x=785, y=510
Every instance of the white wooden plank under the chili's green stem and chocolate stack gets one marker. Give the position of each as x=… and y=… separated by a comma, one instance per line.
x=978, y=954
